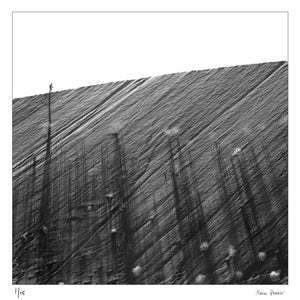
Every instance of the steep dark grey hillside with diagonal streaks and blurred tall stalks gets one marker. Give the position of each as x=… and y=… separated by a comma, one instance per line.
x=140, y=176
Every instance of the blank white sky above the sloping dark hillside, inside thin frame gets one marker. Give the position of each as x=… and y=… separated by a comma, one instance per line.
x=79, y=49
